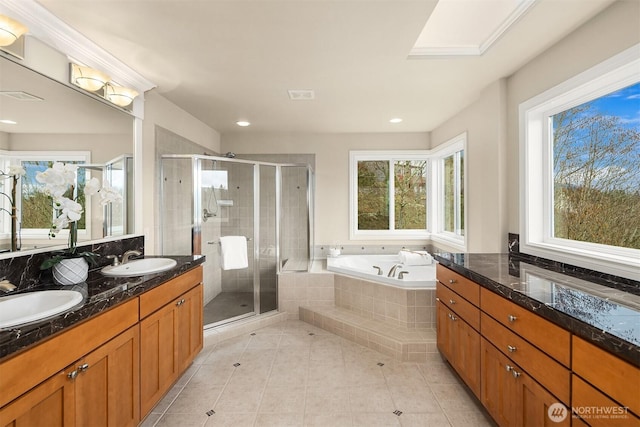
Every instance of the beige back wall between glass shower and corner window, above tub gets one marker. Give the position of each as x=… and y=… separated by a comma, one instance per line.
x=332, y=168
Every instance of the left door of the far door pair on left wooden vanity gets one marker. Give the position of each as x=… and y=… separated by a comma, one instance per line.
x=158, y=356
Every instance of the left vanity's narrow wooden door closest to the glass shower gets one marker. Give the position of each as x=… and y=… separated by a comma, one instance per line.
x=190, y=326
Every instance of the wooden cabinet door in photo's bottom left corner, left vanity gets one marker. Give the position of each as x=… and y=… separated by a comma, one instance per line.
x=50, y=404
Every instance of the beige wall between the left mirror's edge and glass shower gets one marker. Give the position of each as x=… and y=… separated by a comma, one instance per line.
x=160, y=112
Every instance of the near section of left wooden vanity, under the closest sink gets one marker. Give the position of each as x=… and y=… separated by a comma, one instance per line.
x=101, y=384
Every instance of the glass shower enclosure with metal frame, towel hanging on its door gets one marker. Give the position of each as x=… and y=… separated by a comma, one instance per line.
x=269, y=204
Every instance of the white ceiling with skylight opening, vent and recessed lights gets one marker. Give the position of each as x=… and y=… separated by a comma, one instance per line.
x=227, y=60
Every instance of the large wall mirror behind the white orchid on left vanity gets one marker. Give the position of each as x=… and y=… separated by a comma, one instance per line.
x=43, y=121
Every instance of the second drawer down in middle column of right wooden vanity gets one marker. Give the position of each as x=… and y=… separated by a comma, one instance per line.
x=549, y=373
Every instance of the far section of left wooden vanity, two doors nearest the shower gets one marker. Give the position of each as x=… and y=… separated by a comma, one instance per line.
x=170, y=334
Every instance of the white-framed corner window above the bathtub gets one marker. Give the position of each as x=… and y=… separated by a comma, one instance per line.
x=409, y=194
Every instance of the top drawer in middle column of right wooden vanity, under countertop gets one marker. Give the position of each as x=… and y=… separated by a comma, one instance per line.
x=550, y=338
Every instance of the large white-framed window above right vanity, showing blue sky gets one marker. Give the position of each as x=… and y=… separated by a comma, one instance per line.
x=581, y=169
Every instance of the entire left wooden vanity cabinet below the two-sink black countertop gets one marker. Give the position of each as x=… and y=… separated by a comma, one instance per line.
x=111, y=369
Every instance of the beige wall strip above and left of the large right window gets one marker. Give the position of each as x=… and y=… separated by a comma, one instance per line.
x=612, y=31
